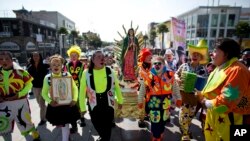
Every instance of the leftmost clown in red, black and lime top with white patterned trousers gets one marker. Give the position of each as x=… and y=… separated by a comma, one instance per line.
x=15, y=83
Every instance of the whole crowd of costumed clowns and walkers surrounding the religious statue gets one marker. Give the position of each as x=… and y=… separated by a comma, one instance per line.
x=218, y=84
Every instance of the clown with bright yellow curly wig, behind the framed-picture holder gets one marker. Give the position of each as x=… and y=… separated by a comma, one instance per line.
x=75, y=68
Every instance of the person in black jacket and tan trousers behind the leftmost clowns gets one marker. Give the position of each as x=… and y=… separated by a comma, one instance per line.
x=37, y=69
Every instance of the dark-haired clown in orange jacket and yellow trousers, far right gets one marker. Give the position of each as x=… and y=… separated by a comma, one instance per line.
x=227, y=92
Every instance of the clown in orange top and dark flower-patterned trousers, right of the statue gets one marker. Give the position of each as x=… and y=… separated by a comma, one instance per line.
x=159, y=86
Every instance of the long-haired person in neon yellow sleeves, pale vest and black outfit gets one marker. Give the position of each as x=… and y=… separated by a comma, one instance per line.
x=101, y=86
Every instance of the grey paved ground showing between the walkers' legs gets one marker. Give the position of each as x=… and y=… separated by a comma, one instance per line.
x=126, y=130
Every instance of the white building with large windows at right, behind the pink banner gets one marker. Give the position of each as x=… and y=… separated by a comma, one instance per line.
x=210, y=22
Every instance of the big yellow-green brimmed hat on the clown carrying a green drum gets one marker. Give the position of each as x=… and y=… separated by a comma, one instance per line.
x=200, y=48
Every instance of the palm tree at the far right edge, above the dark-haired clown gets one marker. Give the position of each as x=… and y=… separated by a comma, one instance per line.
x=242, y=30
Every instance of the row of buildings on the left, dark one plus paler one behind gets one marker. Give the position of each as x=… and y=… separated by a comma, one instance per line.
x=33, y=31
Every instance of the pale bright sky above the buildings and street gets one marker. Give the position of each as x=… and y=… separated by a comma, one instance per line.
x=106, y=17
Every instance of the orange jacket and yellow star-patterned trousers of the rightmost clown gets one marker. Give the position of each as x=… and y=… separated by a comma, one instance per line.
x=227, y=89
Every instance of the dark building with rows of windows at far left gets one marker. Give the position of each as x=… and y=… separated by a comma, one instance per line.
x=24, y=34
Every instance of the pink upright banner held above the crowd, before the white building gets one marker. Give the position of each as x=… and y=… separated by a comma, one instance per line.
x=179, y=33
